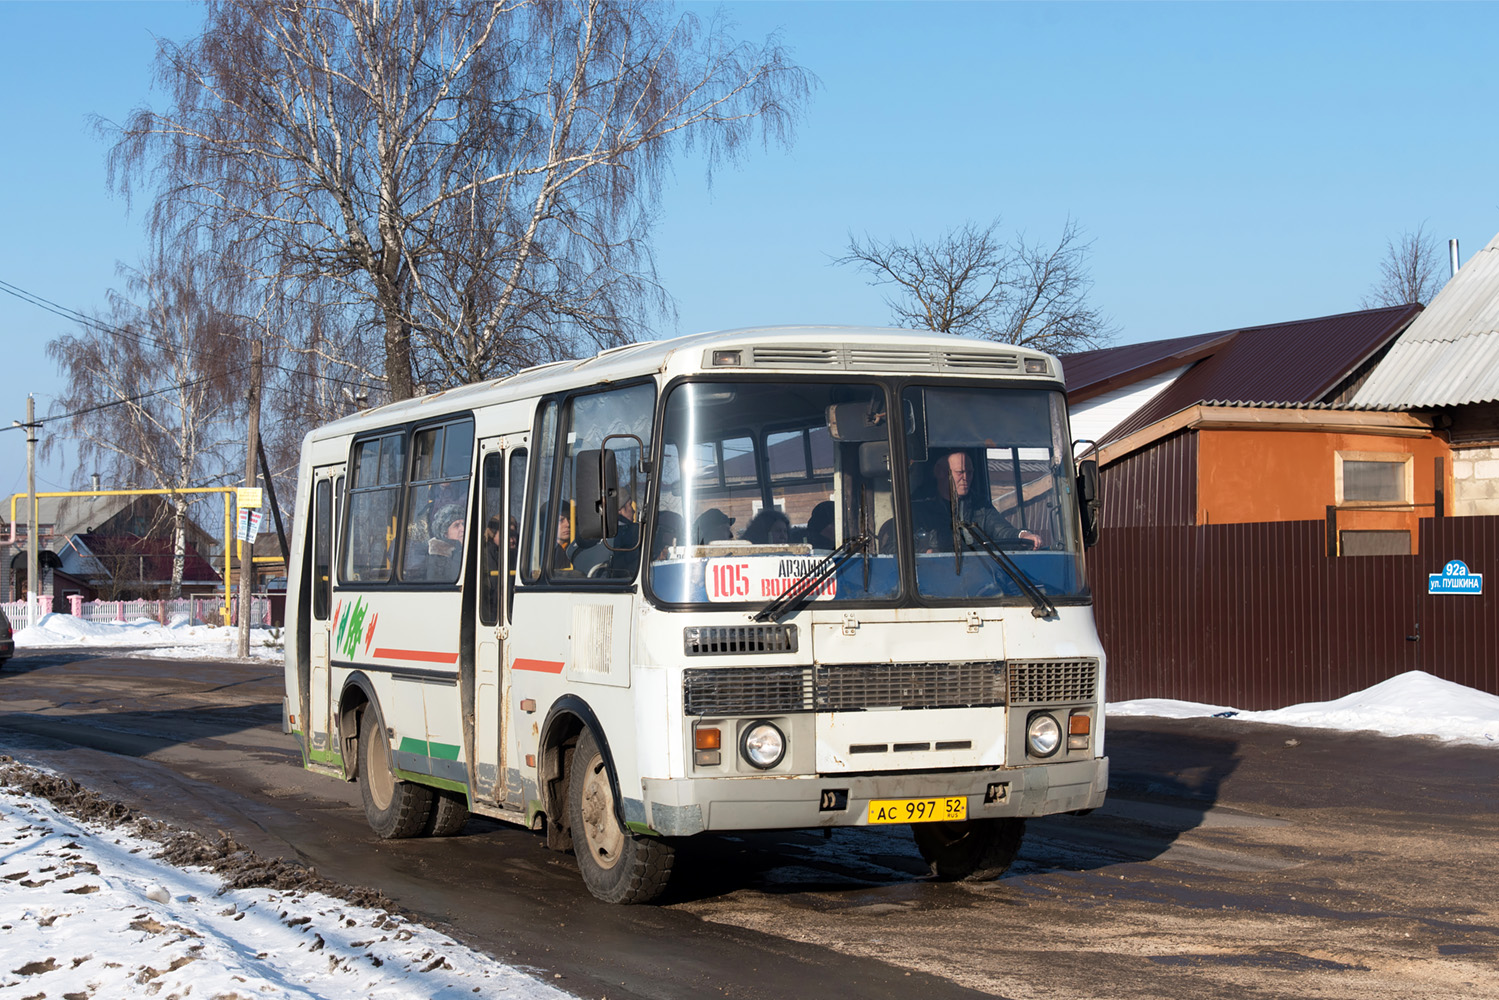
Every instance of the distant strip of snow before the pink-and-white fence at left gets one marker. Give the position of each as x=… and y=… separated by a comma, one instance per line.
x=149, y=638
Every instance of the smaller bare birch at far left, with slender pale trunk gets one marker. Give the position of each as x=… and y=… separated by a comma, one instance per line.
x=154, y=388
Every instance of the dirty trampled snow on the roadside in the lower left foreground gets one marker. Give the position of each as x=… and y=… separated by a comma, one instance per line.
x=88, y=912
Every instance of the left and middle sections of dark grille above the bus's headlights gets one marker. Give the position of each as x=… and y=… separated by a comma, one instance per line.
x=843, y=687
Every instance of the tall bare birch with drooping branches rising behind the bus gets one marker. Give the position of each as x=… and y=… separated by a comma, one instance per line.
x=473, y=179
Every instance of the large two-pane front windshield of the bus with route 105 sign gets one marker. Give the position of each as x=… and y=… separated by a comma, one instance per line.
x=762, y=482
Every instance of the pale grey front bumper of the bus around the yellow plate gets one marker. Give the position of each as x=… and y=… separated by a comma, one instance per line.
x=681, y=807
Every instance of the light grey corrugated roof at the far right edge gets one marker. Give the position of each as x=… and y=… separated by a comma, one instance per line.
x=1450, y=356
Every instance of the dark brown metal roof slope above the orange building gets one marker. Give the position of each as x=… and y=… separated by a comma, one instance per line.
x=1279, y=364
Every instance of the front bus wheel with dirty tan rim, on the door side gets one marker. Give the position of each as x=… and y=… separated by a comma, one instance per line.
x=617, y=864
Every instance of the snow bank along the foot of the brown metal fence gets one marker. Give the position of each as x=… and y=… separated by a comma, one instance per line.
x=1413, y=704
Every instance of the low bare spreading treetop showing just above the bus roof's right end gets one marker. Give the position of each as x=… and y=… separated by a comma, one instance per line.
x=974, y=283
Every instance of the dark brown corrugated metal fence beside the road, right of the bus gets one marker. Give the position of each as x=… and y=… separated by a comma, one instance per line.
x=1258, y=617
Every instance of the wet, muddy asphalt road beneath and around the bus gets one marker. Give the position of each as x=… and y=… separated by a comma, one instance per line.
x=1233, y=861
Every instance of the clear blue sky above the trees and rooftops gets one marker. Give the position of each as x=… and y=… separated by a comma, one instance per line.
x=1233, y=164
